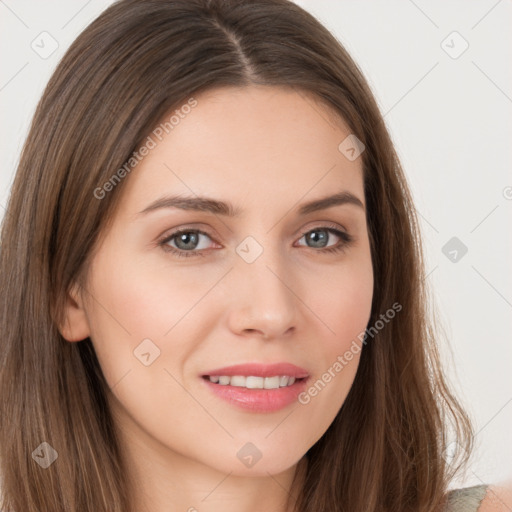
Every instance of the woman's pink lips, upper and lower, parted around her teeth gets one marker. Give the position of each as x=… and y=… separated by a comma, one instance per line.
x=259, y=400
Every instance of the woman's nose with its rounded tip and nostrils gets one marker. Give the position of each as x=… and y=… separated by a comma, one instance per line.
x=263, y=300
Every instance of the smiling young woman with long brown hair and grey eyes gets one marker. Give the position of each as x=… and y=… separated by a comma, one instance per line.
x=289, y=362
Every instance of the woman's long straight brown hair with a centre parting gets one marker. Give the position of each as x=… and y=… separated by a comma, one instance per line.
x=131, y=66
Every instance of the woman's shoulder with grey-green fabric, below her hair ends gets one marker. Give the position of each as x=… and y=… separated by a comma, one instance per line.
x=479, y=498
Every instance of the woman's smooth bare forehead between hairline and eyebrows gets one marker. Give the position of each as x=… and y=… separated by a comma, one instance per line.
x=256, y=143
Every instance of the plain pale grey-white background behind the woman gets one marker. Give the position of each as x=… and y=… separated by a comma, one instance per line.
x=451, y=120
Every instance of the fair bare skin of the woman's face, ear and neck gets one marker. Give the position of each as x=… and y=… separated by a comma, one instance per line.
x=266, y=150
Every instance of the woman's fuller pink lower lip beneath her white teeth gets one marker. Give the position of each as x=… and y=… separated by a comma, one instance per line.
x=258, y=400
